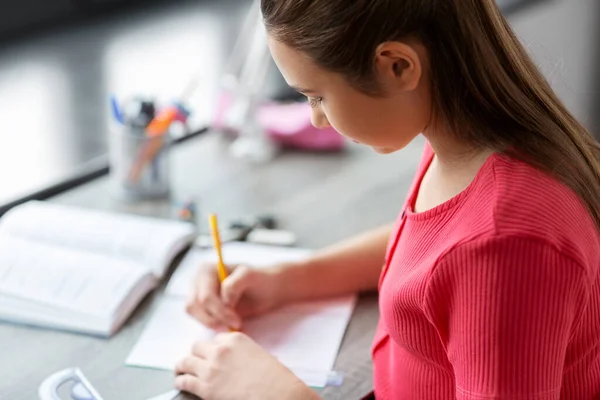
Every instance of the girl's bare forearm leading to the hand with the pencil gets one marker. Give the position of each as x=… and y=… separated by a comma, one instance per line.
x=351, y=266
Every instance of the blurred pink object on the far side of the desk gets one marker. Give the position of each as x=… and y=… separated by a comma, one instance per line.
x=288, y=124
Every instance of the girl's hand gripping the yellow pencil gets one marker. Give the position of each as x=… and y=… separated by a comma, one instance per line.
x=246, y=292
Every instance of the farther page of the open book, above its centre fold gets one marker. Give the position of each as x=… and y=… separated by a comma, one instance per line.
x=147, y=241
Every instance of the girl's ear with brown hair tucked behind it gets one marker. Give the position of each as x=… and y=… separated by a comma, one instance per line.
x=398, y=66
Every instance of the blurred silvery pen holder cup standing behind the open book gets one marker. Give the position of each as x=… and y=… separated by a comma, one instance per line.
x=139, y=165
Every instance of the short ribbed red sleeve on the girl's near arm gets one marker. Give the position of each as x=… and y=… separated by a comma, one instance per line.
x=505, y=308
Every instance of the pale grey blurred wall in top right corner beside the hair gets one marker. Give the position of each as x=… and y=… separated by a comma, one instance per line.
x=564, y=39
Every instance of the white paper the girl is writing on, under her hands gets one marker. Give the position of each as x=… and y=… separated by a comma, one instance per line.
x=305, y=336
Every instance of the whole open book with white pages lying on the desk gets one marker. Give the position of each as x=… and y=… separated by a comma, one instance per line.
x=81, y=270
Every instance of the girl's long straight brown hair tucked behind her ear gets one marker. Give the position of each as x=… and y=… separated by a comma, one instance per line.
x=484, y=84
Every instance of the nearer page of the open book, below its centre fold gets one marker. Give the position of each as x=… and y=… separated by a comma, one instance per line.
x=64, y=279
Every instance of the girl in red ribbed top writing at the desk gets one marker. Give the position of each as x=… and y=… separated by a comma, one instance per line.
x=489, y=288
